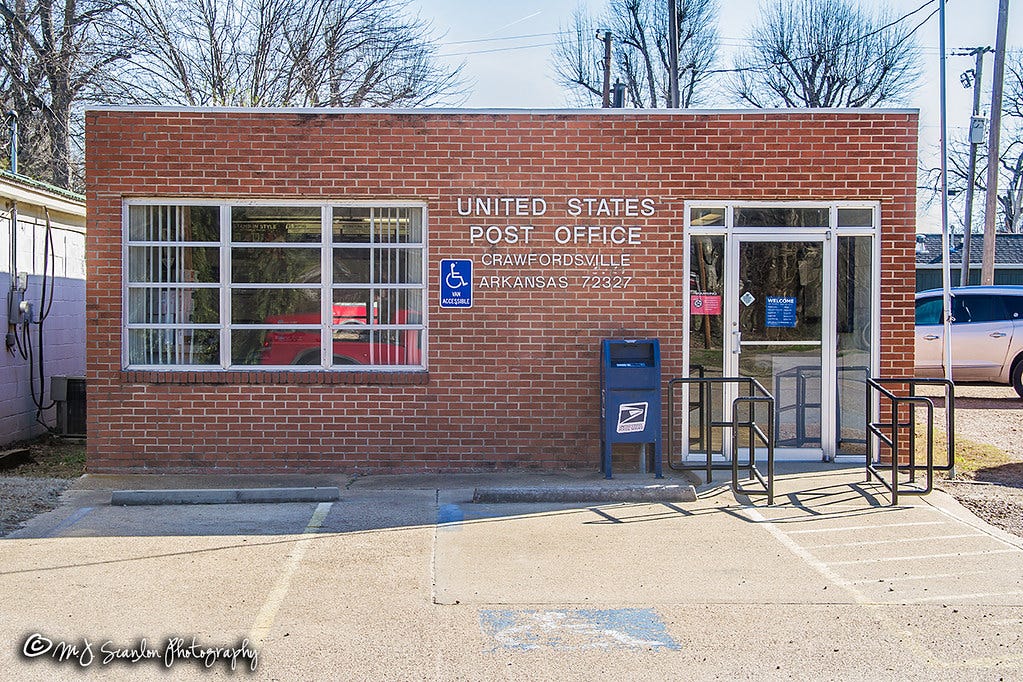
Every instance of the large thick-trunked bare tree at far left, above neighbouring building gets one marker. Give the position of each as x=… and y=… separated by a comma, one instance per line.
x=55, y=57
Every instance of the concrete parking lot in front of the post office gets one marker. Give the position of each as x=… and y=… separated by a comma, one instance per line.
x=404, y=578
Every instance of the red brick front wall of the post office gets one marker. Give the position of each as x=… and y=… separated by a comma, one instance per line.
x=514, y=381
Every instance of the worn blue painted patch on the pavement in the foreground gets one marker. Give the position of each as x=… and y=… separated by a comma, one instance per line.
x=576, y=630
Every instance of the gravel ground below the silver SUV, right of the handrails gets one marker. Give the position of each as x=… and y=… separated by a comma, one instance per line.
x=993, y=416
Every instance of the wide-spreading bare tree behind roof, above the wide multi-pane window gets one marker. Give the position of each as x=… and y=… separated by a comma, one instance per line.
x=286, y=53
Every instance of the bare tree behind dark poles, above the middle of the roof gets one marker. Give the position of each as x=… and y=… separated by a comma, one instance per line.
x=640, y=58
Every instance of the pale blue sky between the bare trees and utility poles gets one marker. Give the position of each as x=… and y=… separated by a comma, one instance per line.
x=506, y=50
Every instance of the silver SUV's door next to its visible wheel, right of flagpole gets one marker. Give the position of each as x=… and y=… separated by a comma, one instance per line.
x=982, y=335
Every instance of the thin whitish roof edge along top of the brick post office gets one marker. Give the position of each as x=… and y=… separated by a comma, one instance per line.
x=505, y=112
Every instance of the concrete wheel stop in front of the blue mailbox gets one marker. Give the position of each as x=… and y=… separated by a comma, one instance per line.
x=668, y=493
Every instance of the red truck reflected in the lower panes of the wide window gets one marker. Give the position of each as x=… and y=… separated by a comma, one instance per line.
x=353, y=343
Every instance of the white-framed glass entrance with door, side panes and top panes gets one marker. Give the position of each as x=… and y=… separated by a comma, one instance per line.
x=787, y=294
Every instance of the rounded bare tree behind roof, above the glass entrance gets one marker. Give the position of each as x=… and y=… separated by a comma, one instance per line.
x=826, y=55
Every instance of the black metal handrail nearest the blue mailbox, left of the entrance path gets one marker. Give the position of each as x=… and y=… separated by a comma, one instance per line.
x=757, y=394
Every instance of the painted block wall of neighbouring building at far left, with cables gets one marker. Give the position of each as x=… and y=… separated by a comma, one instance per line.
x=65, y=331
